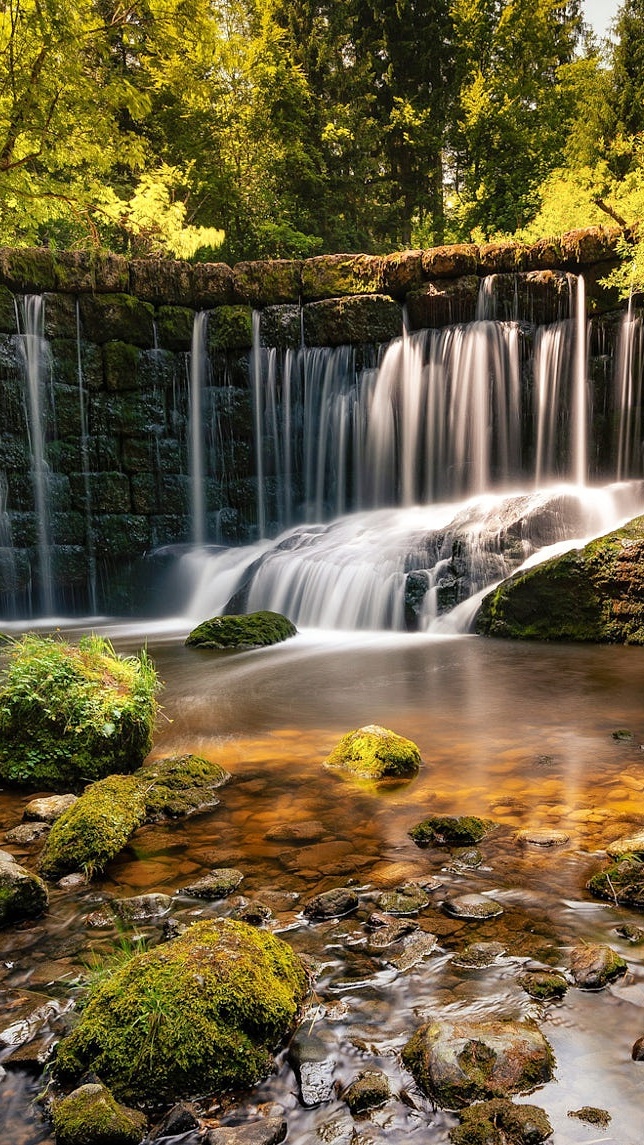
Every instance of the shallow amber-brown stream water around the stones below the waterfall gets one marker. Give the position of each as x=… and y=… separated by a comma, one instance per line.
x=519, y=733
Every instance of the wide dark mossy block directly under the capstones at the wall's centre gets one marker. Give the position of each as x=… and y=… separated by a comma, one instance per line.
x=357, y=321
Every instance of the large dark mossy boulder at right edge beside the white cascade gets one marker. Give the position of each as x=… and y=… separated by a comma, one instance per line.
x=595, y=595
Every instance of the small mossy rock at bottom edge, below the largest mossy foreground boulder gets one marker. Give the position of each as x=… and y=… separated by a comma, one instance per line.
x=91, y=1116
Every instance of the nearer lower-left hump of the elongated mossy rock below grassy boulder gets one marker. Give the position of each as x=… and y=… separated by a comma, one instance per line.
x=96, y=828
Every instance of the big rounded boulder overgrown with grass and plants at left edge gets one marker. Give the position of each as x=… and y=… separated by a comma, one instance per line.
x=74, y=713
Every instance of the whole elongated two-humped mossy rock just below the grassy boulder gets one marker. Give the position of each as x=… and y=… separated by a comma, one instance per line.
x=99, y=825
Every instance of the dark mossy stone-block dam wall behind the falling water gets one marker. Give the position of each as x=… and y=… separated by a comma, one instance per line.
x=115, y=478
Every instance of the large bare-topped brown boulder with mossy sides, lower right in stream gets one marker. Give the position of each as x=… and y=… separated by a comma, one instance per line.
x=457, y=1063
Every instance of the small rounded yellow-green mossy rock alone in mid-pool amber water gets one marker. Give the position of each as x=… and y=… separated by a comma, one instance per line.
x=375, y=753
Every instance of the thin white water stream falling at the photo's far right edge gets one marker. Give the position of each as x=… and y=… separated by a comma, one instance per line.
x=630, y=373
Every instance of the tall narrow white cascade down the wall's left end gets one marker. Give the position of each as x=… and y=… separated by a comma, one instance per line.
x=34, y=349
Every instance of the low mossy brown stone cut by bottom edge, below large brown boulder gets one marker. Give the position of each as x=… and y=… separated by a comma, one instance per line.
x=501, y=1123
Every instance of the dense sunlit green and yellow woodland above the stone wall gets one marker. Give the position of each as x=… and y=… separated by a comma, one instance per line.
x=234, y=130
